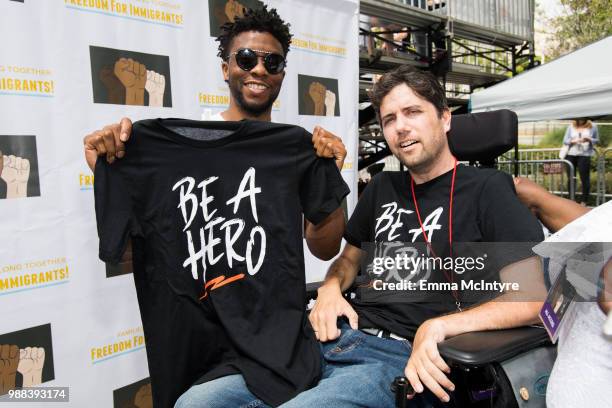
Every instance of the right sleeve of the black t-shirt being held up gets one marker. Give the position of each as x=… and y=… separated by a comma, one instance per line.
x=322, y=188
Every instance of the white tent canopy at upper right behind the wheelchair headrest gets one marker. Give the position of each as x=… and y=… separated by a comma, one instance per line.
x=576, y=85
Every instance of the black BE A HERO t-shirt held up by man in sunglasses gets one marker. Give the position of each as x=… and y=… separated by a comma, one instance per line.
x=214, y=210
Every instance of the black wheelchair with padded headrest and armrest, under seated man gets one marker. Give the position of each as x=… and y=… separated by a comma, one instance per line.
x=503, y=368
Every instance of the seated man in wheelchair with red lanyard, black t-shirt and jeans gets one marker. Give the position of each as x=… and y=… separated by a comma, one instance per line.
x=437, y=204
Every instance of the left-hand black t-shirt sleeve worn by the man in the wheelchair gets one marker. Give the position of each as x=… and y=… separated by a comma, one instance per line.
x=359, y=227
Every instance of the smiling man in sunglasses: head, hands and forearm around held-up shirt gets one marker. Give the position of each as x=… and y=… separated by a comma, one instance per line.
x=253, y=63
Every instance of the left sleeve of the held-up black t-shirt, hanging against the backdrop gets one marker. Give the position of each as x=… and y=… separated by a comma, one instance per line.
x=114, y=214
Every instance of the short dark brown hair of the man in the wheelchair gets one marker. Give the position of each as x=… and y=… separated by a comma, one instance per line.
x=422, y=83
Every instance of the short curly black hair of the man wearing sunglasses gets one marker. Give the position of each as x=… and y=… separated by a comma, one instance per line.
x=261, y=20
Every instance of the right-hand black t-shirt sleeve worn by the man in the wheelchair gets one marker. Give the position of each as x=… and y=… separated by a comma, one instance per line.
x=504, y=219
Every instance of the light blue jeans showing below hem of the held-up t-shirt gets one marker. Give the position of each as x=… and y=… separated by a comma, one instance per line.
x=228, y=391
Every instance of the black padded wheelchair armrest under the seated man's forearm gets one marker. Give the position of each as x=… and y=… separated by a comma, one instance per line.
x=480, y=348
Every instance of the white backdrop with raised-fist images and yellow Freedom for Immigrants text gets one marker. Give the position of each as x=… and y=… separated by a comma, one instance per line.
x=66, y=318
